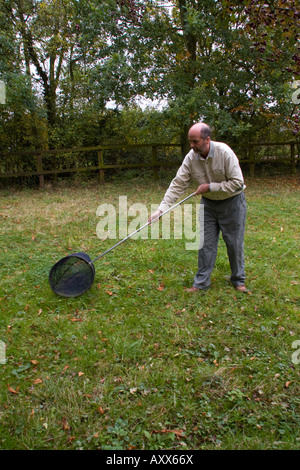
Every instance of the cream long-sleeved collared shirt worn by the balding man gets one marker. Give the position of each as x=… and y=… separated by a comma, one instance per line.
x=221, y=169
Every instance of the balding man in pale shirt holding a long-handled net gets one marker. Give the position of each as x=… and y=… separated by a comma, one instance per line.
x=216, y=169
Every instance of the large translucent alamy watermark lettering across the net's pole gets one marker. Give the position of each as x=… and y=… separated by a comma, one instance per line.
x=187, y=222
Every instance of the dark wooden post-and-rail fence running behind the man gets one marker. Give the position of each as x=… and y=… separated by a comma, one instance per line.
x=252, y=156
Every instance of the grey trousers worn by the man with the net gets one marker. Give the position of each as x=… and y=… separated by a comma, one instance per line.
x=227, y=216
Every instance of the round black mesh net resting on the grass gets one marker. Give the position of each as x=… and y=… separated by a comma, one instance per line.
x=72, y=275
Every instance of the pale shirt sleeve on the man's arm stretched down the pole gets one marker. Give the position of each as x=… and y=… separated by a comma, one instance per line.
x=178, y=186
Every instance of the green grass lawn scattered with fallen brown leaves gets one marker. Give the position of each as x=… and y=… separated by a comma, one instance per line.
x=136, y=362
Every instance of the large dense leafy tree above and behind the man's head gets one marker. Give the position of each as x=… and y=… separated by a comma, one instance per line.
x=206, y=60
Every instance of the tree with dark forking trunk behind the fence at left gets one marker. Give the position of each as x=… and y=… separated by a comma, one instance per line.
x=60, y=44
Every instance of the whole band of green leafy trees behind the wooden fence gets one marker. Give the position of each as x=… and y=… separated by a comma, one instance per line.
x=66, y=61
